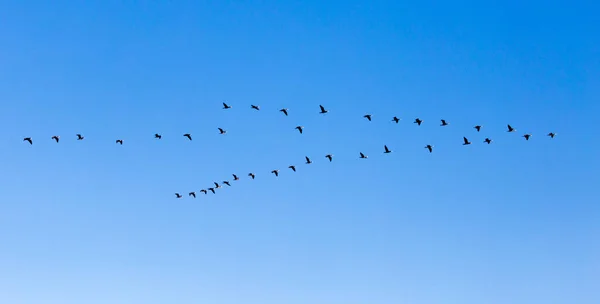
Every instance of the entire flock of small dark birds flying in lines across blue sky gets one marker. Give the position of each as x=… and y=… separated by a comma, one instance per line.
x=300, y=129
